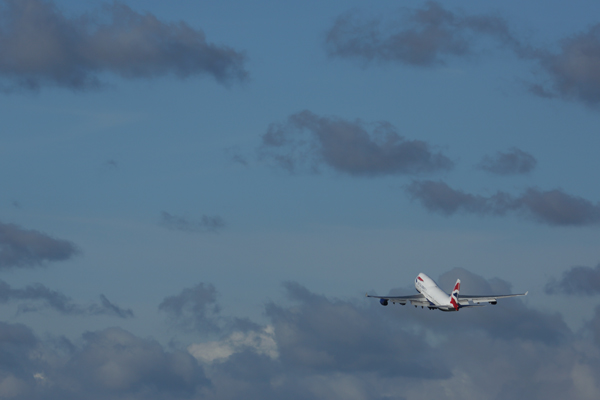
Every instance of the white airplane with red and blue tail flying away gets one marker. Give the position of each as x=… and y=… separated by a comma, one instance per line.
x=432, y=297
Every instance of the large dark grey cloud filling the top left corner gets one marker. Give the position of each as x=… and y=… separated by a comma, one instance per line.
x=41, y=46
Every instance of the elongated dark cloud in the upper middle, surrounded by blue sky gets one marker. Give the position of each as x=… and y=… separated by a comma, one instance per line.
x=308, y=140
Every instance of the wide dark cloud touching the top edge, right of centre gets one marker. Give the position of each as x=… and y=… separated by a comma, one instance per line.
x=423, y=37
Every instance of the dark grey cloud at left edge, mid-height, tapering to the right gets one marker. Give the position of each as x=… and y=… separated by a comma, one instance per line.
x=22, y=248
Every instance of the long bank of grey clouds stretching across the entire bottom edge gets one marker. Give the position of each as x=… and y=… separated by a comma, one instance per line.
x=318, y=347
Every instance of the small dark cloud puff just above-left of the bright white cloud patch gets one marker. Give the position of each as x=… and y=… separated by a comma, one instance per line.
x=195, y=308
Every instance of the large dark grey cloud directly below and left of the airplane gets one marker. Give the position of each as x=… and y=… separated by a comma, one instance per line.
x=320, y=334
